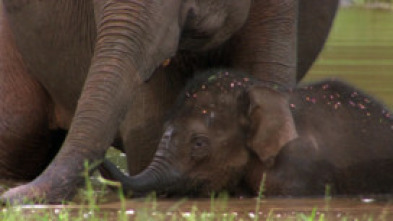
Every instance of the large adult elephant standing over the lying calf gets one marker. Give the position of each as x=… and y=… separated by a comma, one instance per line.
x=82, y=66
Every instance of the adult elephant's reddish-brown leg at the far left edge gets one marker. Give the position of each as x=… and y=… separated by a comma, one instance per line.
x=24, y=115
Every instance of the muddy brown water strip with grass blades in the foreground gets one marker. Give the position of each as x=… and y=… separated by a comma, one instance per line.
x=229, y=209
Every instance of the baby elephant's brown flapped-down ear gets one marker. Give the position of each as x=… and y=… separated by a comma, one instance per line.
x=272, y=124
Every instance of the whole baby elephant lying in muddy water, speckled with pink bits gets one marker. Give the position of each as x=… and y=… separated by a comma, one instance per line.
x=219, y=137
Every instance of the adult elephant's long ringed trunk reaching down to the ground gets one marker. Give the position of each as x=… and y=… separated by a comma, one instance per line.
x=126, y=51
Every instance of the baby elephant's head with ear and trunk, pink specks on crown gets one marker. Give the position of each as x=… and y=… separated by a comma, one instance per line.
x=218, y=123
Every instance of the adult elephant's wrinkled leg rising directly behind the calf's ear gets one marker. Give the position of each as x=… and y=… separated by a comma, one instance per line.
x=266, y=45
